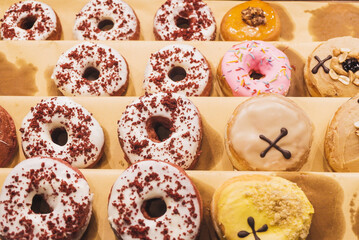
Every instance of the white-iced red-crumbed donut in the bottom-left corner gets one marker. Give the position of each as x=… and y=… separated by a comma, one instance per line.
x=44, y=198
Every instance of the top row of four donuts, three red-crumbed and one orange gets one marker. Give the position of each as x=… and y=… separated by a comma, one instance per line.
x=116, y=20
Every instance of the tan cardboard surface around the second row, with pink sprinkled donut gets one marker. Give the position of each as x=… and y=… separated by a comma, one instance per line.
x=26, y=66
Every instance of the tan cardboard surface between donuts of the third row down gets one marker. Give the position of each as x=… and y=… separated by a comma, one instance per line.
x=215, y=113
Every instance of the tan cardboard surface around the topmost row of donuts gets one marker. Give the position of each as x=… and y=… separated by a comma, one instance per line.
x=298, y=17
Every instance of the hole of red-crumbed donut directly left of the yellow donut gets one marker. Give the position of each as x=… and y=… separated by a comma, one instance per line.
x=153, y=208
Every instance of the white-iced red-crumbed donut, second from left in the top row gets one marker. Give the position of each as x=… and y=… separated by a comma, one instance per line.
x=106, y=20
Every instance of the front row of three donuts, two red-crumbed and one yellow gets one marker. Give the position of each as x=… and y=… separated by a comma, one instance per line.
x=46, y=198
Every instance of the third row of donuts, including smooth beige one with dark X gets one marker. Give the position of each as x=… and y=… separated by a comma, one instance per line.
x=267, y=132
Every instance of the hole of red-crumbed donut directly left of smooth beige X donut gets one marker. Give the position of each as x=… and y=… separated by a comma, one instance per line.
x=159, y=128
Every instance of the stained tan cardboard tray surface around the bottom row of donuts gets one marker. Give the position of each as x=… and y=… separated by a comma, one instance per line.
x=101, y=181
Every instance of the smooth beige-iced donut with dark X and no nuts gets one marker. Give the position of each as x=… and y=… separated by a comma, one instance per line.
x=269, y=133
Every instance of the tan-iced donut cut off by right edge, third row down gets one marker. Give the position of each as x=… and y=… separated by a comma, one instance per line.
x=342, y=138
